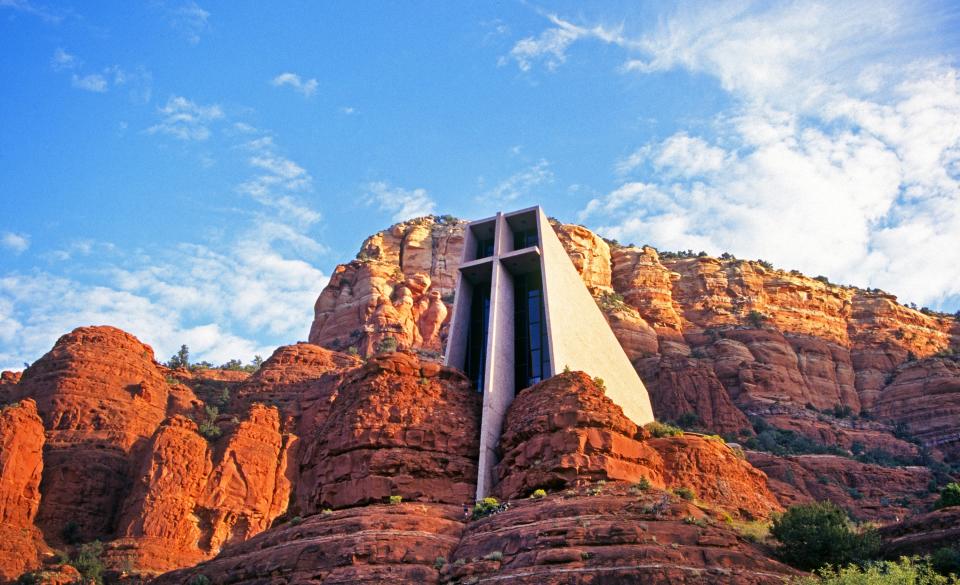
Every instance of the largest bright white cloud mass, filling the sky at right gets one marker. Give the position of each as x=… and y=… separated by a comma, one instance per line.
x=840, y=155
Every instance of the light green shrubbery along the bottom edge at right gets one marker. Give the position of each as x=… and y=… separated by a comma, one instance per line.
x=906, y=571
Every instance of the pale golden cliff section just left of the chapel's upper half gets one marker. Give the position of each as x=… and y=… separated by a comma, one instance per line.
x=400, y=286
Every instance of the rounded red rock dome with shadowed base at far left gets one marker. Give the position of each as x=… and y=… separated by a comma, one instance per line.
x=100, y=394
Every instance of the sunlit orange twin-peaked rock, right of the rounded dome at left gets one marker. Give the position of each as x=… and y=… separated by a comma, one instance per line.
x=191, y=499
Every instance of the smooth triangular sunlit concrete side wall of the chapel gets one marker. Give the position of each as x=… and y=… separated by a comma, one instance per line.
x=580, y=337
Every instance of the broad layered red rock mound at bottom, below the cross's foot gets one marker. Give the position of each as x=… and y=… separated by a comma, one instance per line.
x=611, y=537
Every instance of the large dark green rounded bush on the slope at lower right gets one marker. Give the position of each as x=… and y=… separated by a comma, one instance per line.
x=819, y=534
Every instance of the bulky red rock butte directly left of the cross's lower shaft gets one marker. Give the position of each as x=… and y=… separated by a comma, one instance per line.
x=397, y=426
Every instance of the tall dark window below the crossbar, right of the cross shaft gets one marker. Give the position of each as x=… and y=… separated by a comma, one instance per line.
x=532, y=351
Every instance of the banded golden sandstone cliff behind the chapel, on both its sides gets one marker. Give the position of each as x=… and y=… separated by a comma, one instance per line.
x=718, y=338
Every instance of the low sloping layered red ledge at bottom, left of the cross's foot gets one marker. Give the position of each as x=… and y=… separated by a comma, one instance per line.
x=374, y=544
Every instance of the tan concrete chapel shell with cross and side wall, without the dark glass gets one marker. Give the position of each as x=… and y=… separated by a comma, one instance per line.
x=577, y=334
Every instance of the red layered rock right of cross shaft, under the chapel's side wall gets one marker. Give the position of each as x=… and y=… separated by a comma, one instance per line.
x=565, y=432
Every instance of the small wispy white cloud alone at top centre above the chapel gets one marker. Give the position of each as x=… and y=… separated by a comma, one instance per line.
x=551, y=45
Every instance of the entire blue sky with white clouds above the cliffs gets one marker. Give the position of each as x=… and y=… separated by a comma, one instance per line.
x=191, y=171
